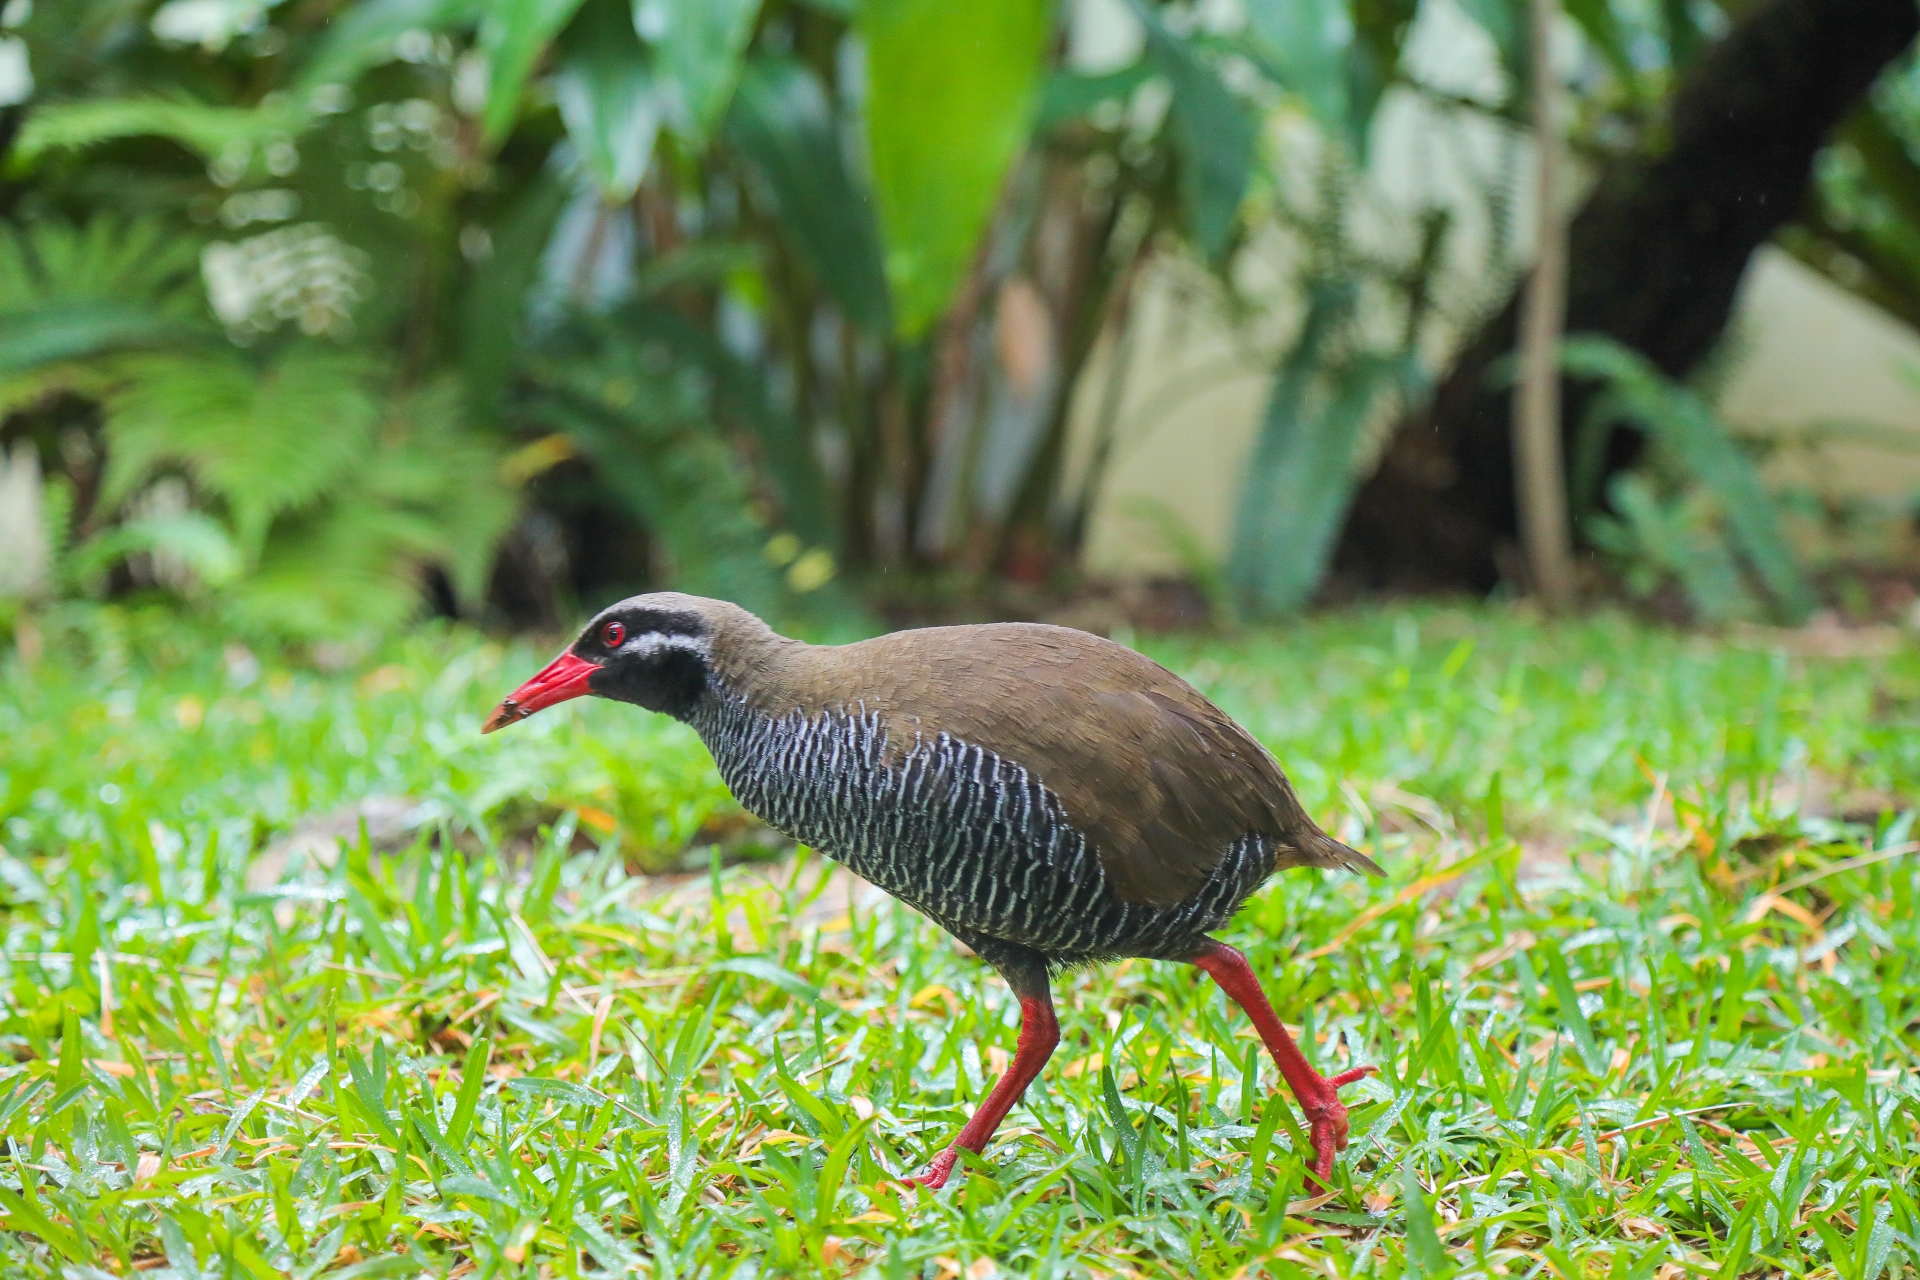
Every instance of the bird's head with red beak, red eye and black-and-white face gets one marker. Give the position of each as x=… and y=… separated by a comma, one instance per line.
x=652, y=652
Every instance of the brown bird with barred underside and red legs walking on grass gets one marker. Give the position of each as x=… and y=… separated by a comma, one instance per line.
x=1049, y=797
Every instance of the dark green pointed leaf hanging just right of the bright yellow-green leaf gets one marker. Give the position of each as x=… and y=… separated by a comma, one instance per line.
x=1212, y=133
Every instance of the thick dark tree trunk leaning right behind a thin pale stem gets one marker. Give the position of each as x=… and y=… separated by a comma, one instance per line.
x=1656, y=258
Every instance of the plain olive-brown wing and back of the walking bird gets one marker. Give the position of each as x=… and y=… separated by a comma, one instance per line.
x=1159, y=778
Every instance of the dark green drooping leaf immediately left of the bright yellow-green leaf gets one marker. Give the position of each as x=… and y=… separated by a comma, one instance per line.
x=786, y=130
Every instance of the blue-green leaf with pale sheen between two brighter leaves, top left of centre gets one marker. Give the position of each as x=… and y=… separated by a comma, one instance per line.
x=610, y=97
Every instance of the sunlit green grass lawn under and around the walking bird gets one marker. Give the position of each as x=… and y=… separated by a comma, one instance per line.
x=1641, y=985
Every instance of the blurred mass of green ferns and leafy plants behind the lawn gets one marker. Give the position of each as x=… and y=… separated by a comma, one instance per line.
x=757, y=298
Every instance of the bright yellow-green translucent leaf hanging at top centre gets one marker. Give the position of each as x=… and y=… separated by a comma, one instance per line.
x=951, y=99
